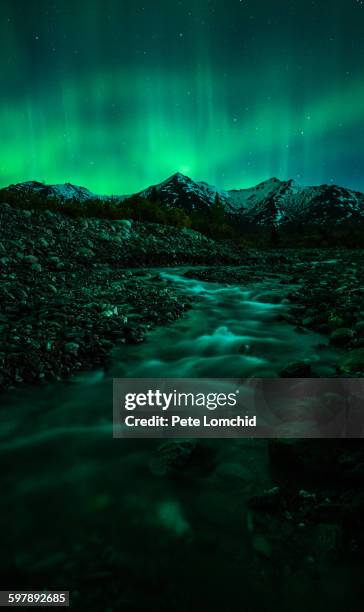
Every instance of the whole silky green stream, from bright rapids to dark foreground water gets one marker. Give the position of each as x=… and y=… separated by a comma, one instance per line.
x=71, y=494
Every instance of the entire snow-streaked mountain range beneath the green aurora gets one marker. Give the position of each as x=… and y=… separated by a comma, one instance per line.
x=270, y=203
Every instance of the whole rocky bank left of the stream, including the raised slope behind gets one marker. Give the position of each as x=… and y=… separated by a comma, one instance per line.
x=66, y=297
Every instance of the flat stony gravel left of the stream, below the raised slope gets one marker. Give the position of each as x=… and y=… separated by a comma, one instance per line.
x=53, y=325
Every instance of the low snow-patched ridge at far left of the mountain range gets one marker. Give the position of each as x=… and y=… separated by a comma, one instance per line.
x=63, y=192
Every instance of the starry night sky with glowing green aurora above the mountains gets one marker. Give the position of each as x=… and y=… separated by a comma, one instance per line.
x=115, y=95
